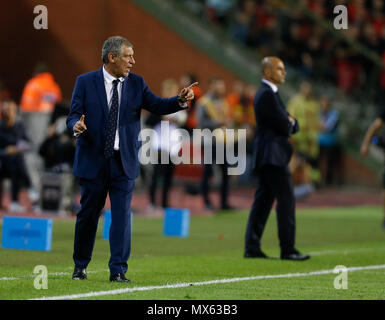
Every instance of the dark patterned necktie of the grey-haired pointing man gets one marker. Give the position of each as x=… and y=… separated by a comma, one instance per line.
x=112, y=121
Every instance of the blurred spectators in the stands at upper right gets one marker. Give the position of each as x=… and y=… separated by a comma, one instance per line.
x=285, y=29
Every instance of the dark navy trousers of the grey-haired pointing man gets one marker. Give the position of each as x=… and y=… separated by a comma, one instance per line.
x=111, y=179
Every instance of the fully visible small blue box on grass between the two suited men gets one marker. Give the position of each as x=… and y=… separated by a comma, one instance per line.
x=176, y=222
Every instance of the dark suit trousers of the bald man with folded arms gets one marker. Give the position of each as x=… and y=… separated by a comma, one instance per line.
x=274, y=183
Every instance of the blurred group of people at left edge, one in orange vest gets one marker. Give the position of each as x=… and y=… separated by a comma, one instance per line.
x=36, y=149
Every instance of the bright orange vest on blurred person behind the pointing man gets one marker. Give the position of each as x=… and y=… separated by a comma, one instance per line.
x=40, y=94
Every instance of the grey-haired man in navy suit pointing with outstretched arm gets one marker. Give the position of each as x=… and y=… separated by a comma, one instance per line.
x=105, y=117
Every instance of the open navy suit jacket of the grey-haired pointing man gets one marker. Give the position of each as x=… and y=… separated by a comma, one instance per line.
x=89, y=98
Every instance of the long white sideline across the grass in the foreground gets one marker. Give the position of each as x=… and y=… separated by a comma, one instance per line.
x=202, y=283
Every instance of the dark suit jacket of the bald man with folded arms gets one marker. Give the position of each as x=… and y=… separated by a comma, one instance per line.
x=271, y=145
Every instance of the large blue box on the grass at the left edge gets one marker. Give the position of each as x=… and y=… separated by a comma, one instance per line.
x=26, y=233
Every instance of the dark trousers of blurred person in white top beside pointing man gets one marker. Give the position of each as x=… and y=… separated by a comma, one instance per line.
x=165, y=171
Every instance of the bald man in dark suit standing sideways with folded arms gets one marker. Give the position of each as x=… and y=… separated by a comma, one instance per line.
x=271, y=156
